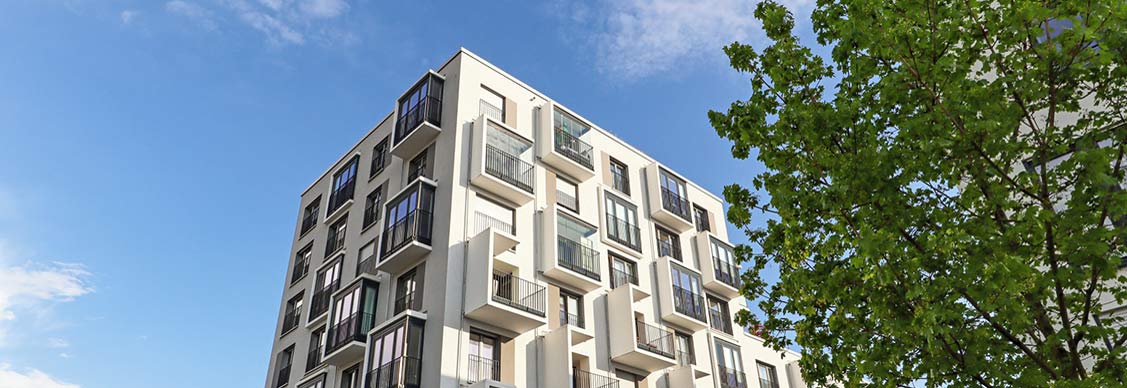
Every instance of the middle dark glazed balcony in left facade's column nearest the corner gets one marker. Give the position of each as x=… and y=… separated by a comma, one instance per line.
x=410, y=226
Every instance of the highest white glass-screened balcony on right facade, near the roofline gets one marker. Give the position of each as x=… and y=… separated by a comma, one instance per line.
x=563, y=146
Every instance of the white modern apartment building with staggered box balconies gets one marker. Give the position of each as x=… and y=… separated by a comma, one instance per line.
x=483, y=235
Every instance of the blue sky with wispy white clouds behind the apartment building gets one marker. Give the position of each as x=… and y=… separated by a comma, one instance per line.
x=153, y=153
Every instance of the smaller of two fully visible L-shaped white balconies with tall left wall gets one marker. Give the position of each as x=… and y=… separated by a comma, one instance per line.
x=635, y=342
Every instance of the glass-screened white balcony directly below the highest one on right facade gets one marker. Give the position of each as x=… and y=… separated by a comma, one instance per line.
x=565, y=259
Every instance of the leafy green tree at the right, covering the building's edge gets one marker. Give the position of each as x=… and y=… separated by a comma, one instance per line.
x=944, y=191
